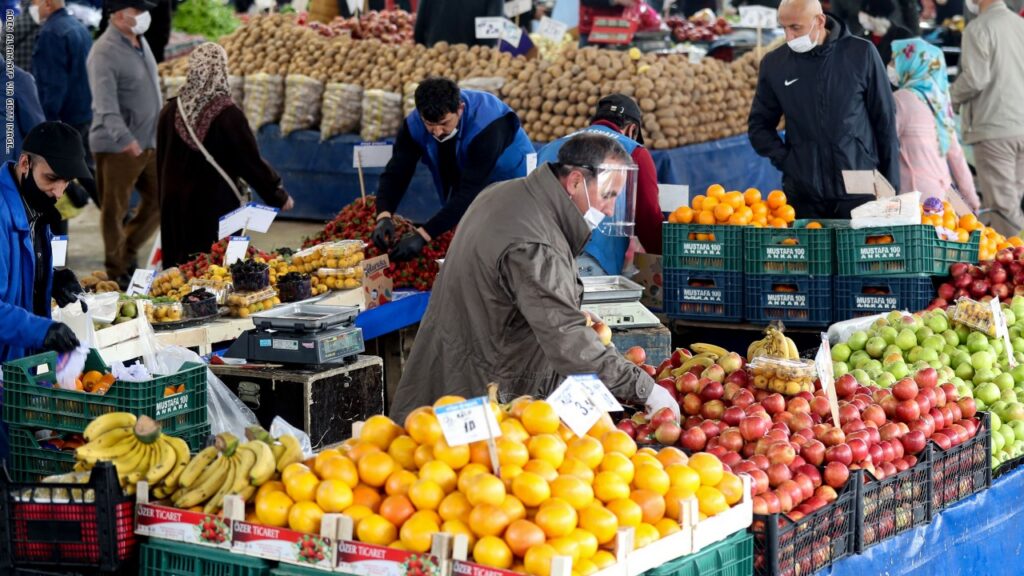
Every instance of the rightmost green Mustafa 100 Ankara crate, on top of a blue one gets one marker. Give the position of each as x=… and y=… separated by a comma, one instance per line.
x=901, y=251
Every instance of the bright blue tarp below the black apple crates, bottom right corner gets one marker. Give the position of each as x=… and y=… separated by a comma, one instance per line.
x=980, y=537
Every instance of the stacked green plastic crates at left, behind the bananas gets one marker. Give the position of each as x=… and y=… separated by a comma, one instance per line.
x=33, y=402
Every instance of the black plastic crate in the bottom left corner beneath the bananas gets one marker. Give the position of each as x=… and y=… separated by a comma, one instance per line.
x=36, y=532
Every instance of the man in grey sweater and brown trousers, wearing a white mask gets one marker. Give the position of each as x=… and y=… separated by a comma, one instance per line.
x=126, y=105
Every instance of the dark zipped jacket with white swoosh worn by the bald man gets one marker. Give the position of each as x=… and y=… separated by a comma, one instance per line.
x=839, y=113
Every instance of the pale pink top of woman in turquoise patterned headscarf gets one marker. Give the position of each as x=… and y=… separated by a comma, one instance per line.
x=921, y=168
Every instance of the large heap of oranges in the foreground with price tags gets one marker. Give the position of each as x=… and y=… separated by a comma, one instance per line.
x=556, y=495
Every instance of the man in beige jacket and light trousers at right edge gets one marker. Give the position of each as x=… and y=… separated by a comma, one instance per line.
x=989, y=92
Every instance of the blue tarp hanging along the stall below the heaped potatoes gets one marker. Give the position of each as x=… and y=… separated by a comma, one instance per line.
x=321, y=177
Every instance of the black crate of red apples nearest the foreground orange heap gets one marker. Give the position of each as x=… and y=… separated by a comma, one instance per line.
x=785, y=548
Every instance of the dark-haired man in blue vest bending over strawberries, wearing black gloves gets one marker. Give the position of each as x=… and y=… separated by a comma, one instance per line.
x=468, y=140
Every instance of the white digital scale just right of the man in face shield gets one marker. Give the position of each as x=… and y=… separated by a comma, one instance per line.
x=617, y=301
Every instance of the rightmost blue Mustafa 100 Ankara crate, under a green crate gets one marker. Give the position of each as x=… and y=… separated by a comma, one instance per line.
x=863, y=296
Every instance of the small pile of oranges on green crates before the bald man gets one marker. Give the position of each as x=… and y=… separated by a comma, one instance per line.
x=740, y=209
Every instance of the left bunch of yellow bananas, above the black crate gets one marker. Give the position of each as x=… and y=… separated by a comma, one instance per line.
x=138, y=449
